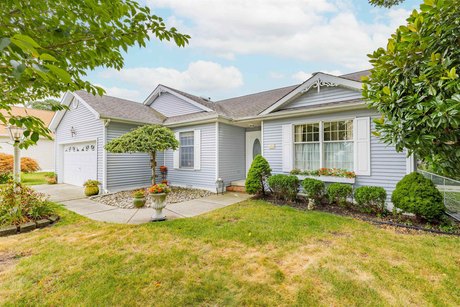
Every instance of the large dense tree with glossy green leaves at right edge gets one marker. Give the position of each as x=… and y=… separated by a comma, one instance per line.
x=415, y=85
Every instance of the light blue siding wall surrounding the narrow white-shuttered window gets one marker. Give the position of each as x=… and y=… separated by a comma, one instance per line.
x=205, y=177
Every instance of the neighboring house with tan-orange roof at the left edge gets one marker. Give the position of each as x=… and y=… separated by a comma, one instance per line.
x=43, y=151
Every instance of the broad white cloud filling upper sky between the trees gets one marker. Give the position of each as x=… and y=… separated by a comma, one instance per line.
x=310, y=30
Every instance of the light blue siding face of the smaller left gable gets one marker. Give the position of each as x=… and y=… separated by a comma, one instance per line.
x=170, y=105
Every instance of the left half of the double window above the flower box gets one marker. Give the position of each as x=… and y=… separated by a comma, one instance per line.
x=306, y=143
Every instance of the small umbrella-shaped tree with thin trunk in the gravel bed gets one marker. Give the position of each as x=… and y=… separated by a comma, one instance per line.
x=148, y=139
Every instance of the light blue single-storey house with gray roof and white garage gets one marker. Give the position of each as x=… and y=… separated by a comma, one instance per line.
x=322, y=122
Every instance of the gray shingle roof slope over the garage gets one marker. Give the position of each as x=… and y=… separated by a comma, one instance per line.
x=117, y=108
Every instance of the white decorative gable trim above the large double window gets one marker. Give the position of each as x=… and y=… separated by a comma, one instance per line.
x=315, y=79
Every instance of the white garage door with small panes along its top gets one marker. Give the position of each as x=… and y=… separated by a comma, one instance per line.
x=80, y=163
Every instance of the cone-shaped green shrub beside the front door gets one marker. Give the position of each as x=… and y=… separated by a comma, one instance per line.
x=258, y=172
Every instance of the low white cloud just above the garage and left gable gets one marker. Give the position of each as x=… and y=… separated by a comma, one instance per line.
x=200, y=77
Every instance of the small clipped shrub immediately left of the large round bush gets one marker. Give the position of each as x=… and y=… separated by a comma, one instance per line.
x=371, y=199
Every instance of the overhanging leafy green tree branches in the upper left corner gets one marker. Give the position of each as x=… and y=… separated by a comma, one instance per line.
x=47, y=46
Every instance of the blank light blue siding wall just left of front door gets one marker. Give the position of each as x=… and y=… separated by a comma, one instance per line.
x=231, y=153
